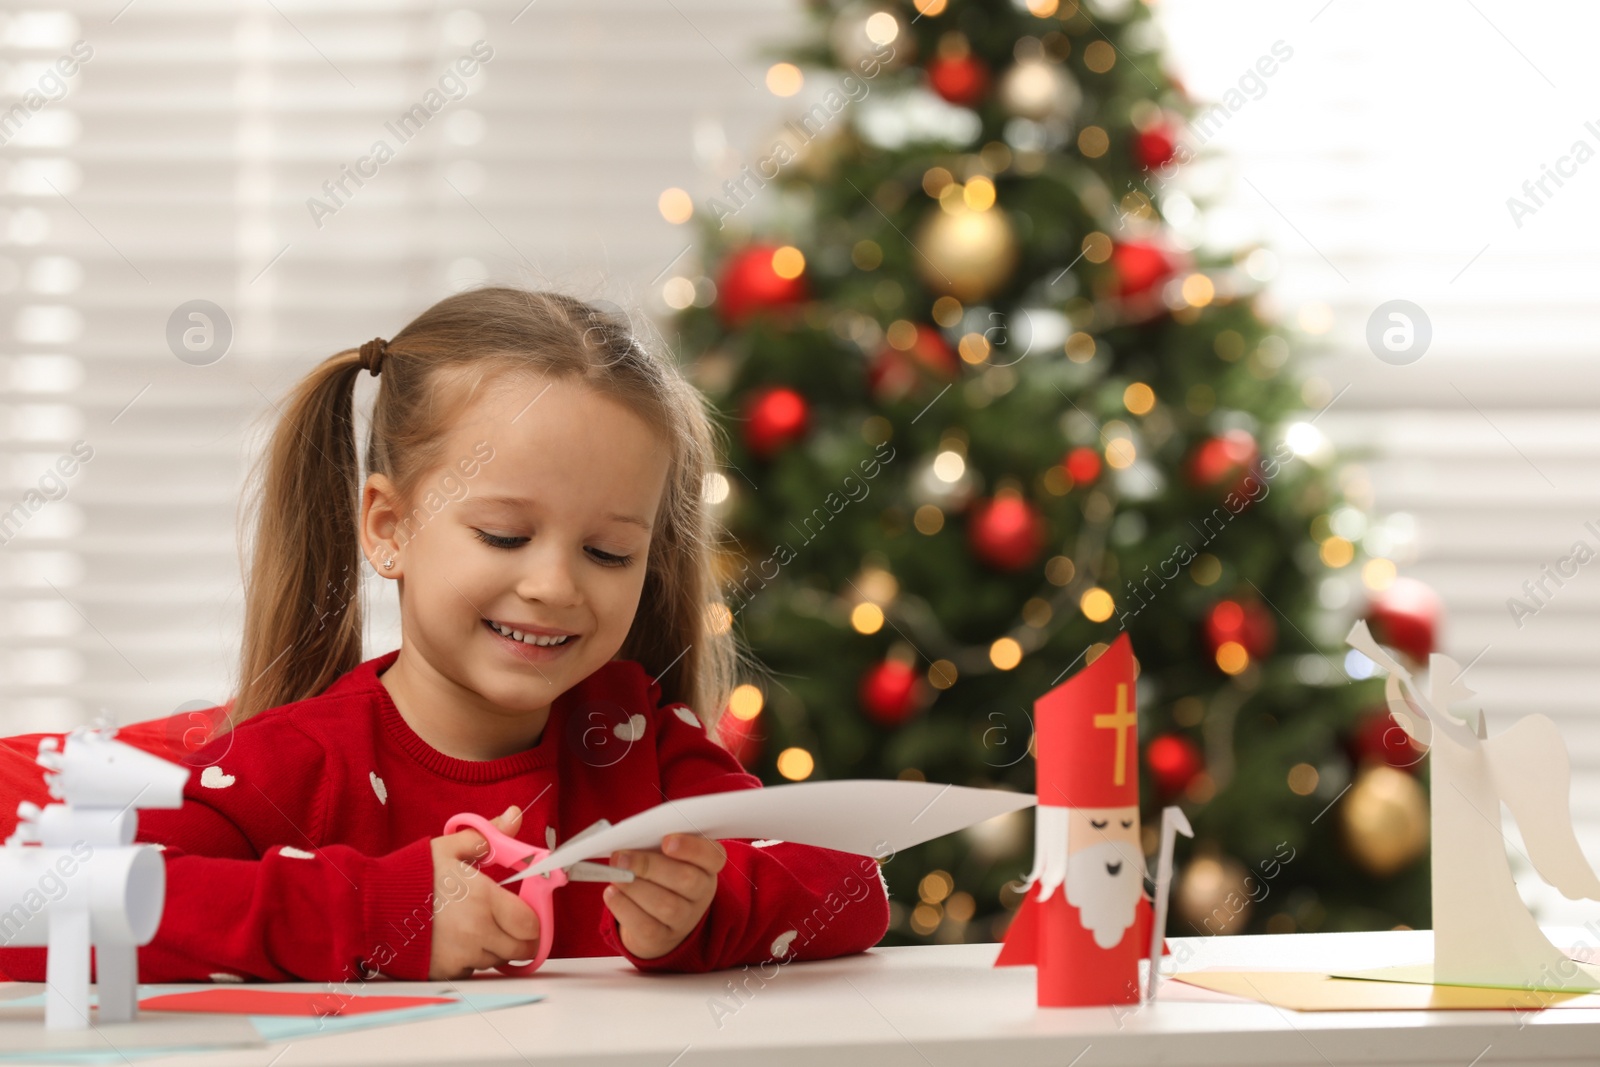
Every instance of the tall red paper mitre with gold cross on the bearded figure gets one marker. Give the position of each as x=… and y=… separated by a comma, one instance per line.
x=1087, y=732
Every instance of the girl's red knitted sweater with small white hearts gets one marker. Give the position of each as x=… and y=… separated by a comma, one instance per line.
x=303, y=847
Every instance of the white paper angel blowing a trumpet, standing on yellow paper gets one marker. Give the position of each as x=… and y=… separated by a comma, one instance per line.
x=1484, y=933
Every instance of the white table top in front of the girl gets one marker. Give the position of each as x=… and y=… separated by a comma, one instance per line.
x=943, y=1005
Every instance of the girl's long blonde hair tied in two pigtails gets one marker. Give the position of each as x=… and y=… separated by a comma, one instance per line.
x=303, y=613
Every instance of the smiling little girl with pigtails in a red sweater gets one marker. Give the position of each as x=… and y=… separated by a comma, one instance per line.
x=559, y=628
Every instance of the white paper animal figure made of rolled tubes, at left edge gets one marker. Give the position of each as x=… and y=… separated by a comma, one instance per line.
x=71, y=876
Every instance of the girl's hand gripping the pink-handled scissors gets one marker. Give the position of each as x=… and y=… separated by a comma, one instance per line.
x=476, y=922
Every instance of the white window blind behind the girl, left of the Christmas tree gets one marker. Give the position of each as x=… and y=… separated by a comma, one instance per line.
x=303, y=177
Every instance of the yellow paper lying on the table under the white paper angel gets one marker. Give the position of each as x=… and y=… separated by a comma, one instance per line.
x=1310, y=991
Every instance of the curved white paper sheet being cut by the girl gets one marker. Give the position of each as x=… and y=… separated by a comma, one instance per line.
x=865, y=817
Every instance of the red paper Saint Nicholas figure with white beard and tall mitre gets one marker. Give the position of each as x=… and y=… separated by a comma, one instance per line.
x=1086, y=921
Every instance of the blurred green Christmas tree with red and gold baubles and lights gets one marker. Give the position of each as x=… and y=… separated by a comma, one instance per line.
x=991, y=402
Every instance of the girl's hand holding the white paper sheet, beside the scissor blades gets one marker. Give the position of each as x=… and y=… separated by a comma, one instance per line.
x=671, y=892
